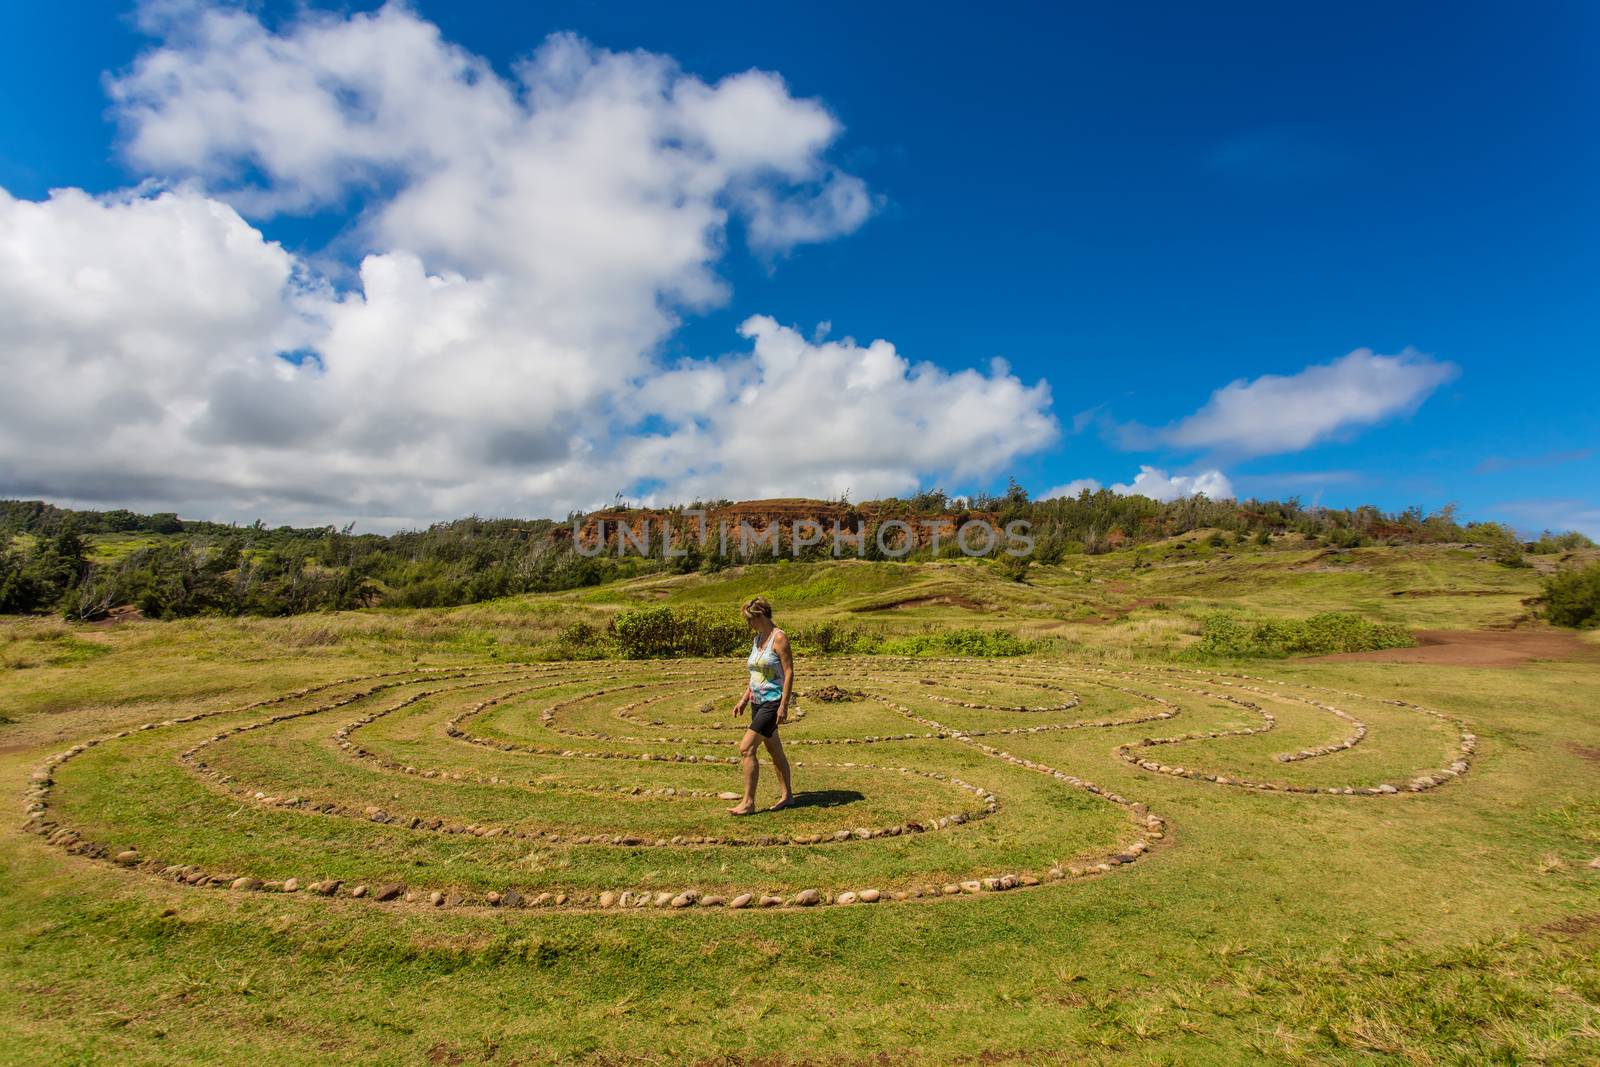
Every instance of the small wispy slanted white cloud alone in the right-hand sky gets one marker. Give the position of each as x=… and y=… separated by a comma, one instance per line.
x=1279, y=414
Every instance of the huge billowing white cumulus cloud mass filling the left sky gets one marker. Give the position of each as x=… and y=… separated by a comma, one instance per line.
x=524, y=246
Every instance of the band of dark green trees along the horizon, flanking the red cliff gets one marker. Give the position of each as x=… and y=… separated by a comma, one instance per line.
x=177, y=569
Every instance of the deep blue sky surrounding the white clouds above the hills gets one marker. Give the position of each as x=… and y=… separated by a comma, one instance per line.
x=1134, y=206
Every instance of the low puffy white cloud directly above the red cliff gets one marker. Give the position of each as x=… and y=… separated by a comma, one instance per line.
x=822, y=418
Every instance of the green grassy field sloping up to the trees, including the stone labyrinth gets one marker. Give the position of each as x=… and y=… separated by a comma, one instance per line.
x=1151, y=858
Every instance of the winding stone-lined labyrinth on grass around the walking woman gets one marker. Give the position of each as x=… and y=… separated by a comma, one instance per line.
x=604, y=785
